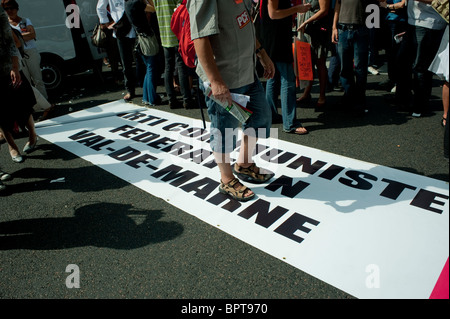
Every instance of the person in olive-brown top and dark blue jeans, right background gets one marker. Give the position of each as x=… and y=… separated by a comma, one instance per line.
x=351, y=35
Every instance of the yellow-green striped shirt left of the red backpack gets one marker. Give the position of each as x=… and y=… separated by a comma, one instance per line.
x=164, y=12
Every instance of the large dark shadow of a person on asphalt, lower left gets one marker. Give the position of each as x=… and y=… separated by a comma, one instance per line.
x=109, y=225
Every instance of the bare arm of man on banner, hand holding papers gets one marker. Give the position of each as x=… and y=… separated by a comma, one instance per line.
x=205, y=56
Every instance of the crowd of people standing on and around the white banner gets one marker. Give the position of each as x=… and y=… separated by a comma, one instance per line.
x=415, y=39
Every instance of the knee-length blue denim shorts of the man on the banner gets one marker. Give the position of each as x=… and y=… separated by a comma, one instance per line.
x=224, y=125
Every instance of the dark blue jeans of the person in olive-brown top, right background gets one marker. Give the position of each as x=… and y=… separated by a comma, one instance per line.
x=353, y=48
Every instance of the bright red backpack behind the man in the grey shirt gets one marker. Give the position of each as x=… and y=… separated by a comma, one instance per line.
x=181, y=26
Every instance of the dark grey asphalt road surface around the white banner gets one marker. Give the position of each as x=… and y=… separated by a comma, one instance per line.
x=183, y=257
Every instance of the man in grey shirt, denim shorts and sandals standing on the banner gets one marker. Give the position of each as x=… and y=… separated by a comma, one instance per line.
x=225, y=43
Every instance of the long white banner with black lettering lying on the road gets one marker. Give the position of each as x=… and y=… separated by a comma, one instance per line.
x=369, y=230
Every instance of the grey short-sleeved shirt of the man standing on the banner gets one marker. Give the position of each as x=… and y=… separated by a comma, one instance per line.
x=228, y=25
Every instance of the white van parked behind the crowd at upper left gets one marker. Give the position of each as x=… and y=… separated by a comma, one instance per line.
x=64, y=50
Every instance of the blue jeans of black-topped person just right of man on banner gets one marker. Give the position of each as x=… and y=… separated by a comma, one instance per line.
x=283, y=84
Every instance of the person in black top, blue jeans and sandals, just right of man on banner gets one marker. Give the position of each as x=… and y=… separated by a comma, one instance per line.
x=275, y=30
